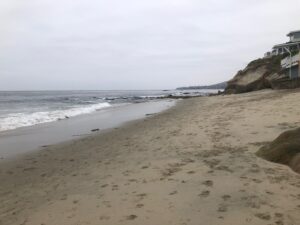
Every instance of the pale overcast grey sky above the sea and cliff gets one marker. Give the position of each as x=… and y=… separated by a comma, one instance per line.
x=135, y=44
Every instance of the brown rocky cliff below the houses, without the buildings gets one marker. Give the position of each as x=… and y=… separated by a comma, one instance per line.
x=259, y=74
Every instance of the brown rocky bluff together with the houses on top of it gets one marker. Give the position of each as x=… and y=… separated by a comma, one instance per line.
x=279, y=69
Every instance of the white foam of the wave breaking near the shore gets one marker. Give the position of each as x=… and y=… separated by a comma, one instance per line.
x=16, y=120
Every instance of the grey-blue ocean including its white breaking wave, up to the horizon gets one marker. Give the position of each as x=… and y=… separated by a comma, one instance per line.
x=29, y=108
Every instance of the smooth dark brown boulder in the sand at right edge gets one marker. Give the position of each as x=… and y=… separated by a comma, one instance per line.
x=285, y=150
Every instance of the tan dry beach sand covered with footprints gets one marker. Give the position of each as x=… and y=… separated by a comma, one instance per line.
x=193, y=164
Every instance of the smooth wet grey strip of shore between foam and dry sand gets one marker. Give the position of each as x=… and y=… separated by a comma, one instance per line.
x=37, y=137
